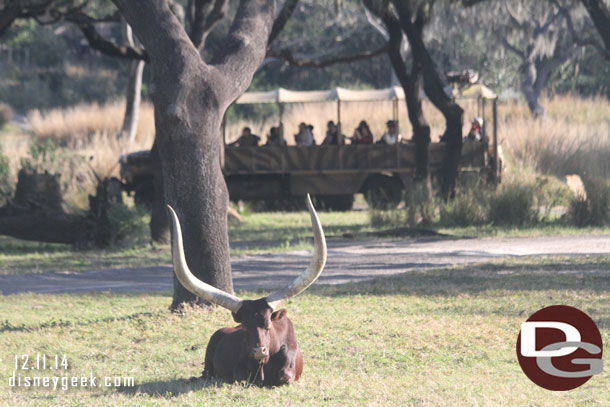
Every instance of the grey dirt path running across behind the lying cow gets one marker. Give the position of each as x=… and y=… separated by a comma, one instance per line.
x=347, y=261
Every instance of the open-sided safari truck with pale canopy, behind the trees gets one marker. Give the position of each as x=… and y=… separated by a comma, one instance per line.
x=332, y=173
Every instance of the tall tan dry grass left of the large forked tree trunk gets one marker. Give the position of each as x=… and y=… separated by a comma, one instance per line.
x=87, y=136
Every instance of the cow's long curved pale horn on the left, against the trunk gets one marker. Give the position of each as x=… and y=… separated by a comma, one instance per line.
x=189, y=281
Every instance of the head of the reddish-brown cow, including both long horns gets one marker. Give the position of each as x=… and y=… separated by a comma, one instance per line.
x=256, y=316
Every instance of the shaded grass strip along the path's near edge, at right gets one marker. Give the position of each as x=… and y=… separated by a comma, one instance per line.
x=589, y=273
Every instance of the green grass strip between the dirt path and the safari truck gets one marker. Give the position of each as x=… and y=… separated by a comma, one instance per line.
x=257, y=233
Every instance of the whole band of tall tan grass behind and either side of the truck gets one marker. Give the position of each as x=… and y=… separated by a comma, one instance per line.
x=574, y=137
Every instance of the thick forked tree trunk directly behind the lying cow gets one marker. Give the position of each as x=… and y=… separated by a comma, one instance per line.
x=190, y=98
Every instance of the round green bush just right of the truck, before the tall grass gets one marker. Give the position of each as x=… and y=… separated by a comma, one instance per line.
x=513, y=205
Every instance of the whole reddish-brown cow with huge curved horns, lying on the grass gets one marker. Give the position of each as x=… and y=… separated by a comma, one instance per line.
x=263, y=347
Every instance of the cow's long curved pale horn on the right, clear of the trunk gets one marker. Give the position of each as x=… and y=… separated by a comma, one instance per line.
x=314, y=270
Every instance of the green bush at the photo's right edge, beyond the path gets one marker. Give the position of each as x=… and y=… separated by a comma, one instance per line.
x=594, y=209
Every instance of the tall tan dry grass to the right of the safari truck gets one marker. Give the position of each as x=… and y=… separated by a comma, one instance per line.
x=573, y=137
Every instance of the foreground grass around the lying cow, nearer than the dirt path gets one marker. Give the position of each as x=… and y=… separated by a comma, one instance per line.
x=432, y=338
